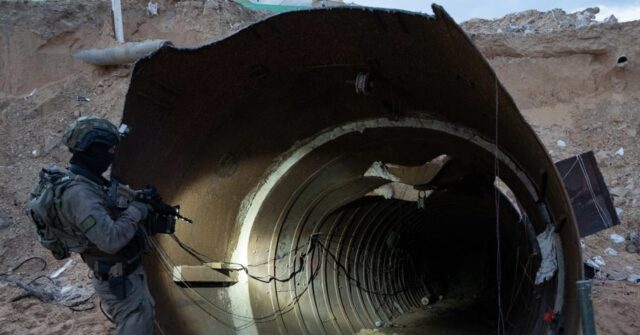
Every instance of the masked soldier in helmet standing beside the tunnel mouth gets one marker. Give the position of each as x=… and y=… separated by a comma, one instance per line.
x=109, y=240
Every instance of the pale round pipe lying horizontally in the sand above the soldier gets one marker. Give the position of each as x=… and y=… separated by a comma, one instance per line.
x=123, y=54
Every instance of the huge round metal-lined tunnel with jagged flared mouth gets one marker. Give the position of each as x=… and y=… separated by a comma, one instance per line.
x=277, y=142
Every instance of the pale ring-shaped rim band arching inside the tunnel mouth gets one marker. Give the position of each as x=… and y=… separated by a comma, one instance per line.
x=253, y=201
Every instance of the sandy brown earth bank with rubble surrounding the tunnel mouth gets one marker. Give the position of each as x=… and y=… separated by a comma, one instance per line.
x=565, y=80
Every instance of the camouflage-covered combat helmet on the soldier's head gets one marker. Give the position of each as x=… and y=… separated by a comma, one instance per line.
x=85, y=130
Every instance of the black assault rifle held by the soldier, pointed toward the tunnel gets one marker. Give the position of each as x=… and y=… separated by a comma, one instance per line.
x=162, y=218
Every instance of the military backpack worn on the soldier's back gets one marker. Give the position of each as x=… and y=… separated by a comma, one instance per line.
x=55, y=233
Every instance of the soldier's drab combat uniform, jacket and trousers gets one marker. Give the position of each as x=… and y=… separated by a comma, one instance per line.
x=85, y=204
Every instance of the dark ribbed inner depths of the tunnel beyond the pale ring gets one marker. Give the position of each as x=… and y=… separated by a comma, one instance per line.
x=381, y=258
